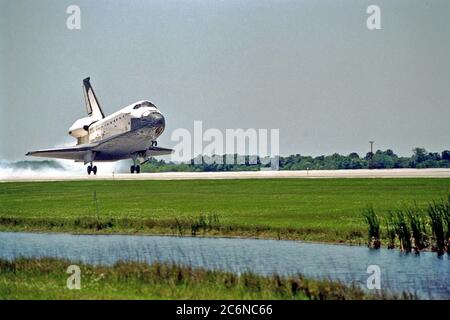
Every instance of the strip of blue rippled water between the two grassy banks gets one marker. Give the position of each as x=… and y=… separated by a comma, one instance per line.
x=426, y=275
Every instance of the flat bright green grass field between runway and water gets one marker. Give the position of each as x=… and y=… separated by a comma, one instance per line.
x=307, y=209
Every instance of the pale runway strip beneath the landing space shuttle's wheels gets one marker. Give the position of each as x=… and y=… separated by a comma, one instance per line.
x=305, y=174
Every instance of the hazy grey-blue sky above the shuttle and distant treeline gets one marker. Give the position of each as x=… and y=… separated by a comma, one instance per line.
x=310, y=68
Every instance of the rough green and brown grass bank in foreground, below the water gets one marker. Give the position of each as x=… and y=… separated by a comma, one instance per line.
x=47, y=278
